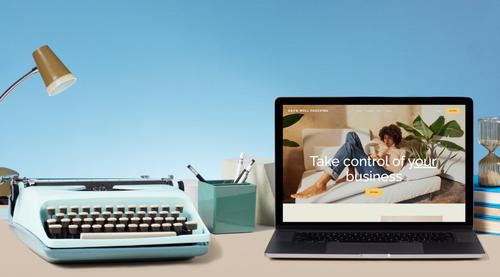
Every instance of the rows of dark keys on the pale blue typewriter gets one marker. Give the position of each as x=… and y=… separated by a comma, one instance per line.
x=116, y=221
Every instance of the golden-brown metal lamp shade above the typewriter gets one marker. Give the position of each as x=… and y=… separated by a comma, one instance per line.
x=55, y=75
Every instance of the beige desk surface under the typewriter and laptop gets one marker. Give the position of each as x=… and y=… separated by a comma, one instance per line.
x=242, y=255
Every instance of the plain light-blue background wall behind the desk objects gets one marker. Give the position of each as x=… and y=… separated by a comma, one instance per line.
x=167, y=83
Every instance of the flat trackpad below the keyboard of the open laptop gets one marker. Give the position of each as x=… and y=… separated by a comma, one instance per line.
x=374, y=248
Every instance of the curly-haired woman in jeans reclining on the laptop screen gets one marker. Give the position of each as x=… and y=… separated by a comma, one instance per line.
x=353, y=150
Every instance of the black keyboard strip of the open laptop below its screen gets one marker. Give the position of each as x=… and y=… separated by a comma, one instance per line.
x=321, y=237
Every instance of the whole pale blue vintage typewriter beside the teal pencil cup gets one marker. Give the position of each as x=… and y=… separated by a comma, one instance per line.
x=88, y=220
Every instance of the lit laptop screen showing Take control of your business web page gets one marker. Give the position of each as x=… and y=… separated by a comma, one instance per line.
x=374, y=163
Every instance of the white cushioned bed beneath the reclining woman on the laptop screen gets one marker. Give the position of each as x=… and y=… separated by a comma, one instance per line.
x=325, y=142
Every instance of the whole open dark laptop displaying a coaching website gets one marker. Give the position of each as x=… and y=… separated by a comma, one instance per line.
x=374, y=177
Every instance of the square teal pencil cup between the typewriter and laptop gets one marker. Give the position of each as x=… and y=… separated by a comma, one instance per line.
x=226, y=207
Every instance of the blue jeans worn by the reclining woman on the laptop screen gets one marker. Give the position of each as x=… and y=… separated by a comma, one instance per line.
x=353, y=150
